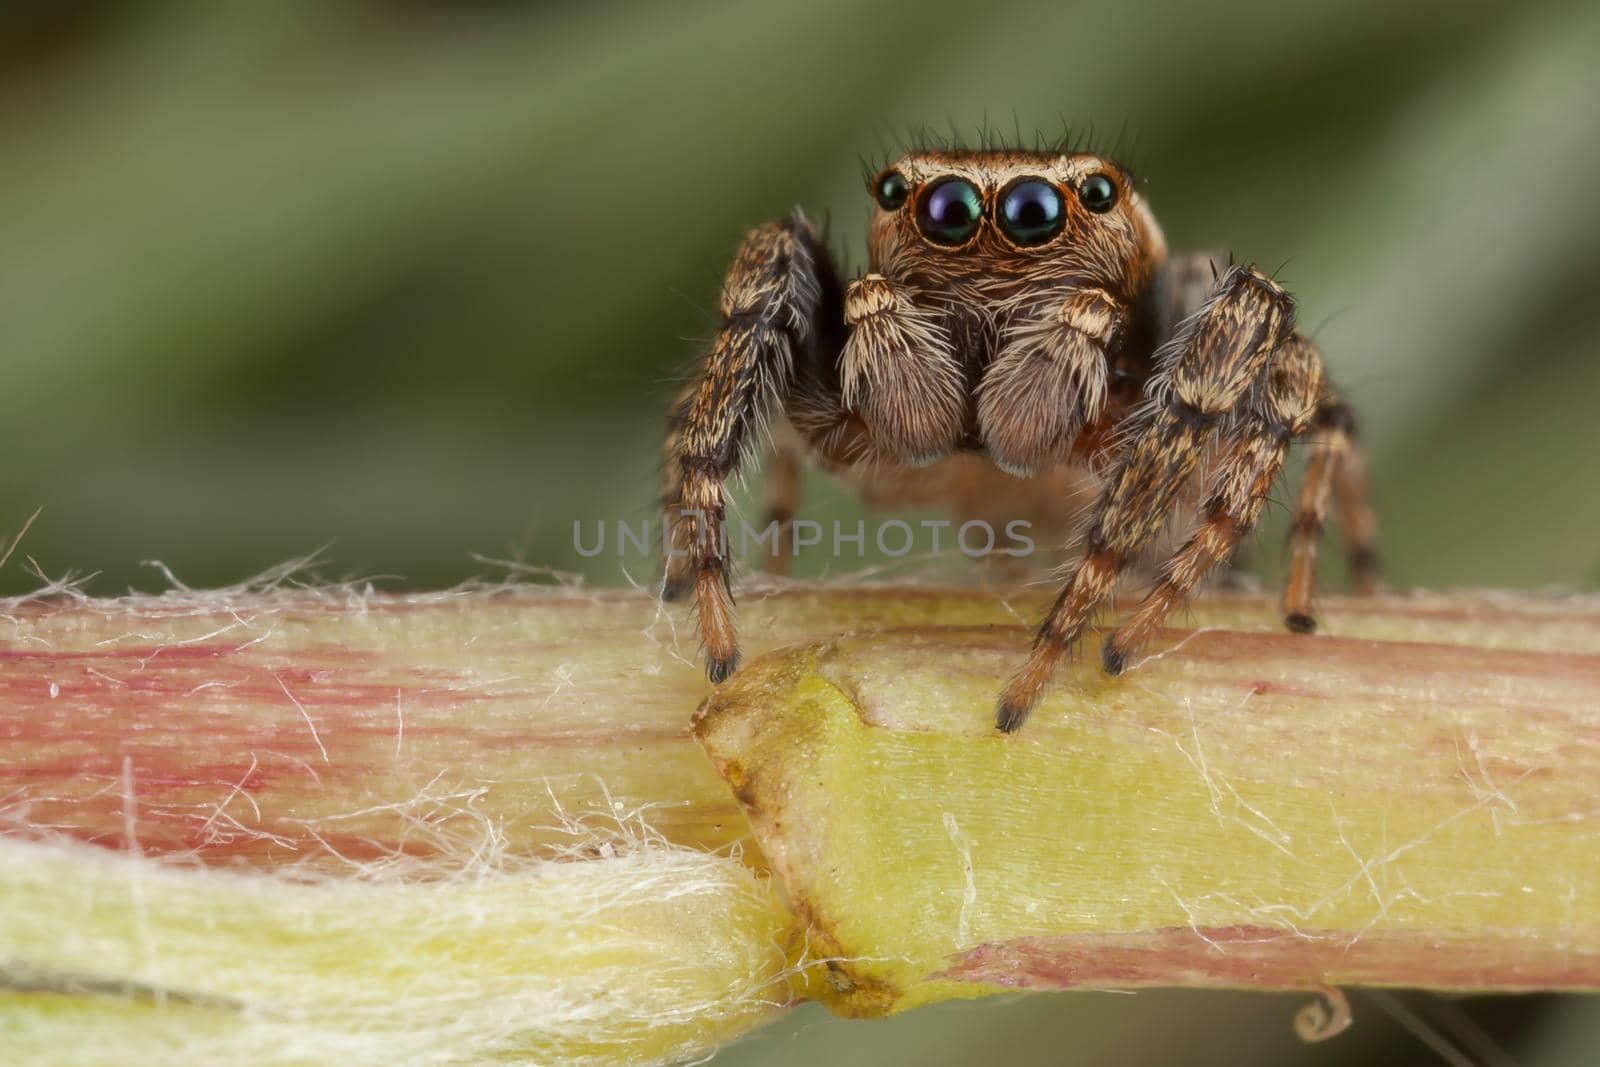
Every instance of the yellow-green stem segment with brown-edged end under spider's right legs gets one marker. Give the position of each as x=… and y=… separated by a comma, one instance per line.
x=1252, y=810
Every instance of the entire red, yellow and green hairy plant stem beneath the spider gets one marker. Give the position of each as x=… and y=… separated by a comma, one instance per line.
x=260, y=826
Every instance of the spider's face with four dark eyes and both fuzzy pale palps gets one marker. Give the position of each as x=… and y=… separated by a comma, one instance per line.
x=986, y=255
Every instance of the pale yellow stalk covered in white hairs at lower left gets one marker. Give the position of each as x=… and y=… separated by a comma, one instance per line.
x=638, y=953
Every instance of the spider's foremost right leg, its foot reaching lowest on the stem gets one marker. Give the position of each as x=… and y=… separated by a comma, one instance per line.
x=1206, y=372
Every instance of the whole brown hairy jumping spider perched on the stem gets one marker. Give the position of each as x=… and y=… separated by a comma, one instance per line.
x=1022, y=327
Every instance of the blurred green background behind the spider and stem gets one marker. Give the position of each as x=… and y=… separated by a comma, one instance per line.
x=417, y=281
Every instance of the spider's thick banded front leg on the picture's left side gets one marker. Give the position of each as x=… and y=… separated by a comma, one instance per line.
x=772, y=319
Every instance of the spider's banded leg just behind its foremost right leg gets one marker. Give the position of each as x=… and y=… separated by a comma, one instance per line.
x=1284, y=409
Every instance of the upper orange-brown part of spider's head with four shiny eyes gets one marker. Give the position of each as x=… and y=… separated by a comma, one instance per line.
x=966, y=215
